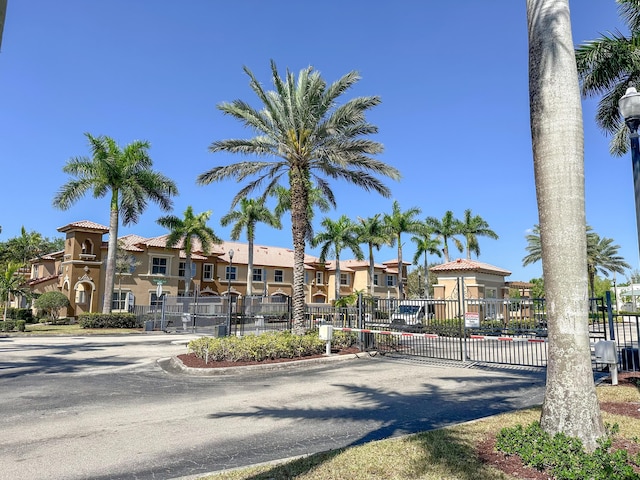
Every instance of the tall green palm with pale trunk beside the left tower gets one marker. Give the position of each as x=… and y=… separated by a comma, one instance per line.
x=126, y=175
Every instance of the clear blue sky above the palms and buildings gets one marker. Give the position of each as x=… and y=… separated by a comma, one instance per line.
x=454, y=117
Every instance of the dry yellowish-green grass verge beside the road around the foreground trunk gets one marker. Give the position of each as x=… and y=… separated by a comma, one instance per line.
x=447, y=454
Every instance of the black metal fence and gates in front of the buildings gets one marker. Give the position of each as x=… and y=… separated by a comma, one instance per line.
x=507, y=331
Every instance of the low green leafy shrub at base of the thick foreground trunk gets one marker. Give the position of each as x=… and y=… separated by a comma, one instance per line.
x=564, y=456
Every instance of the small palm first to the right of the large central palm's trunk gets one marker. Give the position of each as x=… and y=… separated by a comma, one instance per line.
x=337, y=236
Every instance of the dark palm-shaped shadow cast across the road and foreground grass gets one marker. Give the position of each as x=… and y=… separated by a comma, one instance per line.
x=382, y=413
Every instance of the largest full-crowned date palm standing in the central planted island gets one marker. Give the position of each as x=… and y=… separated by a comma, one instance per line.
x=309, y=136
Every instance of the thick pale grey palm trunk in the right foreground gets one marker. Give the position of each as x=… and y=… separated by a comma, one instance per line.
x=570, y=403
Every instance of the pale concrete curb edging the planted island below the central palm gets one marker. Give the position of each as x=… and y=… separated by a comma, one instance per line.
x=175, y=366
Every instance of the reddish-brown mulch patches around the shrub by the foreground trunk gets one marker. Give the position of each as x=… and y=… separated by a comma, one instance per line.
x=512, y=465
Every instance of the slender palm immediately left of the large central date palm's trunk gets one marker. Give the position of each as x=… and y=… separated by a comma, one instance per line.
x=251, y=212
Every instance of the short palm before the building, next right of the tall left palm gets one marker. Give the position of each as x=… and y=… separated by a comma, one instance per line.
x=186, y=231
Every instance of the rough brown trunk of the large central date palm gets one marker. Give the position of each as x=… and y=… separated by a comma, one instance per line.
x=299, y=203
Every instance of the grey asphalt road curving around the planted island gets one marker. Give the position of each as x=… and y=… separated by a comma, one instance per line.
x=103, y=408
